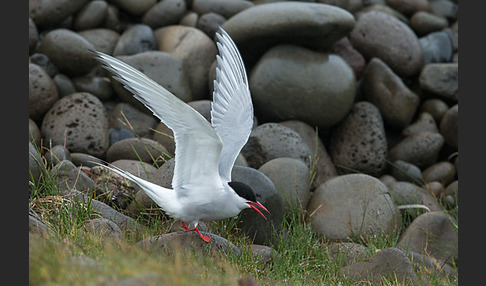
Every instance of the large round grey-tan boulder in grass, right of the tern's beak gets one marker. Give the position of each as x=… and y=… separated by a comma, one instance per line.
x=352, y=206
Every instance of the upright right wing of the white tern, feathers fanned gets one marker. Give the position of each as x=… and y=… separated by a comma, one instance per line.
x=231, y=109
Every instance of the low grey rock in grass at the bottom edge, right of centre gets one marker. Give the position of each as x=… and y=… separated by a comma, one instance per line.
x=391, y=263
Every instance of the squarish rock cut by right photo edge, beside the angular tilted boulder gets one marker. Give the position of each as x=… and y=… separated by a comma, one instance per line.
x=441, y=79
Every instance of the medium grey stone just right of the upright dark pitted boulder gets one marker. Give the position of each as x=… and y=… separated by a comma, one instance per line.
x=421, y=149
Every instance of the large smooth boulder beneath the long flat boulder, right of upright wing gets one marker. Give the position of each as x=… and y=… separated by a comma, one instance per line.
x=321, y=96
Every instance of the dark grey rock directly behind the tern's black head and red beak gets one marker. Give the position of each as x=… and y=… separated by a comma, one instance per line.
x=259, y=230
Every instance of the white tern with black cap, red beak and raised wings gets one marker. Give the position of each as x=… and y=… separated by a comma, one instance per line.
x=205, y=153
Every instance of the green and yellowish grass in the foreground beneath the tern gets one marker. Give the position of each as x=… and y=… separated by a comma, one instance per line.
x=73, y=256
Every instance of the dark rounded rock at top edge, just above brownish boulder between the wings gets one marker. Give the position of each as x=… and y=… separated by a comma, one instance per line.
x=165, y=13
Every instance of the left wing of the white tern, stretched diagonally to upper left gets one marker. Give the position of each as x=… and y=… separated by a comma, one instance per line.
x=198, y=147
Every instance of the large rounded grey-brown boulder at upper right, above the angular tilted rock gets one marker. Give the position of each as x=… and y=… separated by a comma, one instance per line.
x=383, y=36
